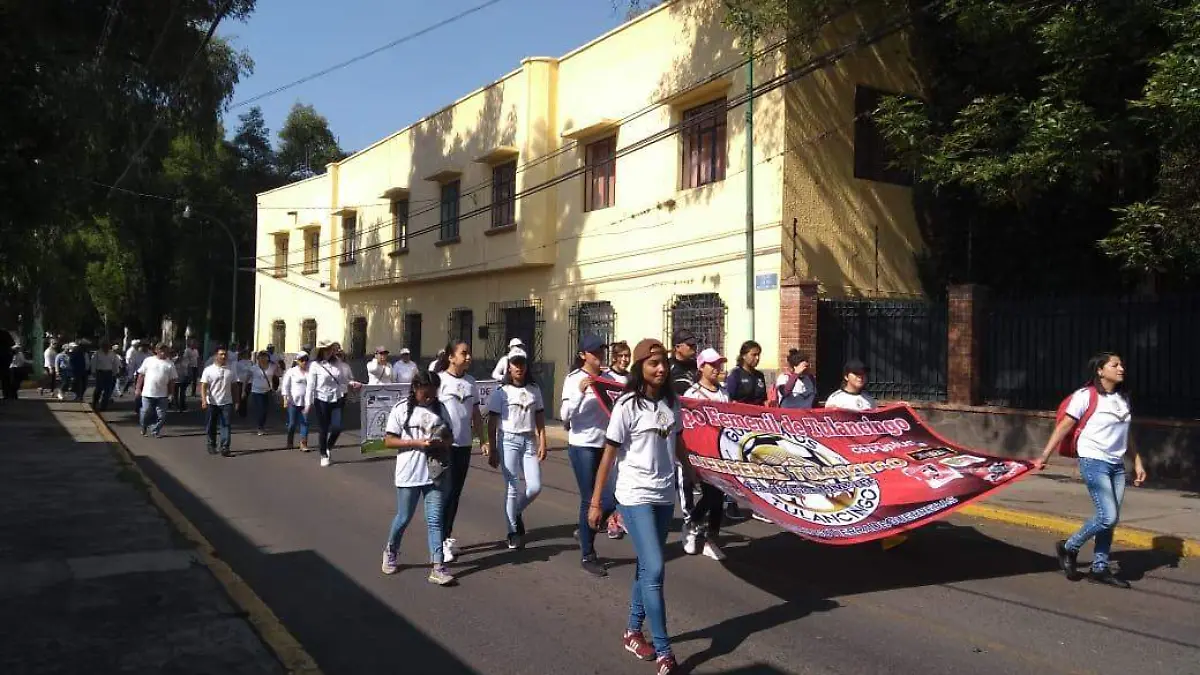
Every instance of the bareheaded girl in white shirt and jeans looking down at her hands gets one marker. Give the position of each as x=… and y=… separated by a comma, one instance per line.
x=421, y=434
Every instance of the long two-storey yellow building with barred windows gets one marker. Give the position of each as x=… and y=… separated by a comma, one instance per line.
x=603, y=192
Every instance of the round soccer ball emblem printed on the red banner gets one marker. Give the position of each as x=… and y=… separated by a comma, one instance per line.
x=815, y=501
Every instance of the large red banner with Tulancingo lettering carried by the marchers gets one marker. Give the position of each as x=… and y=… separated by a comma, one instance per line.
x=835, y=476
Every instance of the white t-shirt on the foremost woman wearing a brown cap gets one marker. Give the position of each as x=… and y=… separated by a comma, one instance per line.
x=646, y=437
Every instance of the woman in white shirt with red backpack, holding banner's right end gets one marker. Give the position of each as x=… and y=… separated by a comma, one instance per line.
x=1102, y=441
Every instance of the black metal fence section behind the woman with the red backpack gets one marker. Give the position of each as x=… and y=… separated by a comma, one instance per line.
x=1036, y=350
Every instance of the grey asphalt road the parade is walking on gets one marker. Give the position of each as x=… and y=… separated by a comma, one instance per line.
x=962, y=596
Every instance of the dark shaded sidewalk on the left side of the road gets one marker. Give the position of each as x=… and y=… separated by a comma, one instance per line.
x=93, y=577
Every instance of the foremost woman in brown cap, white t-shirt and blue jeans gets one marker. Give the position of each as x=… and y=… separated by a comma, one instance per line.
x=645, y=441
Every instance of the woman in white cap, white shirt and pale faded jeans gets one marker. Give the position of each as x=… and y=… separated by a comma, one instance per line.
x=517, y=428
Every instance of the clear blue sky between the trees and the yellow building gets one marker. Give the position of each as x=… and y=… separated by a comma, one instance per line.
x=375, y=98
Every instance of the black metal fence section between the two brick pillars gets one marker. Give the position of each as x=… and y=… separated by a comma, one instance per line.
x=903, y=343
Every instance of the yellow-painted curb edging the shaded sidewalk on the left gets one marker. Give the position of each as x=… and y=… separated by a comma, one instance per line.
x=287, y=649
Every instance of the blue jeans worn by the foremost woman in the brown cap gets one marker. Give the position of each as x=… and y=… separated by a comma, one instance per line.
x=649, y=527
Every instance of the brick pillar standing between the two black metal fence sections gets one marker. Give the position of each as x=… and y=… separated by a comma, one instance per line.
x=968, y=304
